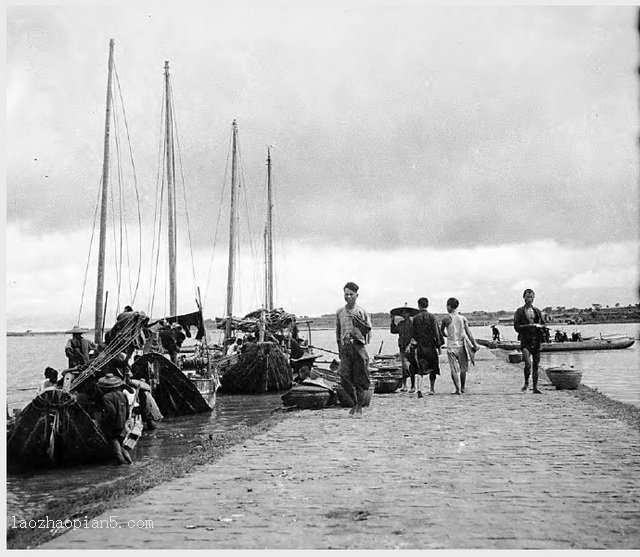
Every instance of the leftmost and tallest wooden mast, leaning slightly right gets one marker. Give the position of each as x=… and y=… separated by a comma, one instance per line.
x=103, y=207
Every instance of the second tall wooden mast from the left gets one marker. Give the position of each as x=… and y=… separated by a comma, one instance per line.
x=171, y=204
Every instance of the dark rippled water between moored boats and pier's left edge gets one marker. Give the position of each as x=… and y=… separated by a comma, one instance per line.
x=29, y=493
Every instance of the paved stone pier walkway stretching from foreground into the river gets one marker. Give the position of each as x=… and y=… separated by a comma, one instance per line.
x=494, y=468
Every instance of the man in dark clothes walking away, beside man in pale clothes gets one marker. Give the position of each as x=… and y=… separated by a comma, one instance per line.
x=428, y=340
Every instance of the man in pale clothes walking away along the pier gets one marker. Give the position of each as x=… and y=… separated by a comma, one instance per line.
x=456, y=328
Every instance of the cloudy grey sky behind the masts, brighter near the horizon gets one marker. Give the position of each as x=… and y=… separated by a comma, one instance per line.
x=418, y=151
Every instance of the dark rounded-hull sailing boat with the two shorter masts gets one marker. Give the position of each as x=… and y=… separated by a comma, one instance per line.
x=261, y=366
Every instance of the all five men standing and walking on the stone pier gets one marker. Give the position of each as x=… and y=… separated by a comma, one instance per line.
x=420, y=342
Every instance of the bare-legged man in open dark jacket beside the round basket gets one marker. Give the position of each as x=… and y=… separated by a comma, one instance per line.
x=529, y=324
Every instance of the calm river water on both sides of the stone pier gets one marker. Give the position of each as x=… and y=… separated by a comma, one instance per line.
x=616, y=373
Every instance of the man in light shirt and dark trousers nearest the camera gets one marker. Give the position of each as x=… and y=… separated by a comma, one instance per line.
x=353, y=328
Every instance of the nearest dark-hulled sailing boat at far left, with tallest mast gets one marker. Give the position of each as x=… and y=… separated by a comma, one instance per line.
x=55, y=428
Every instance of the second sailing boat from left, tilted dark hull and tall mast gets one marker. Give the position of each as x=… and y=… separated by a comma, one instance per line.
x=174, y=392
